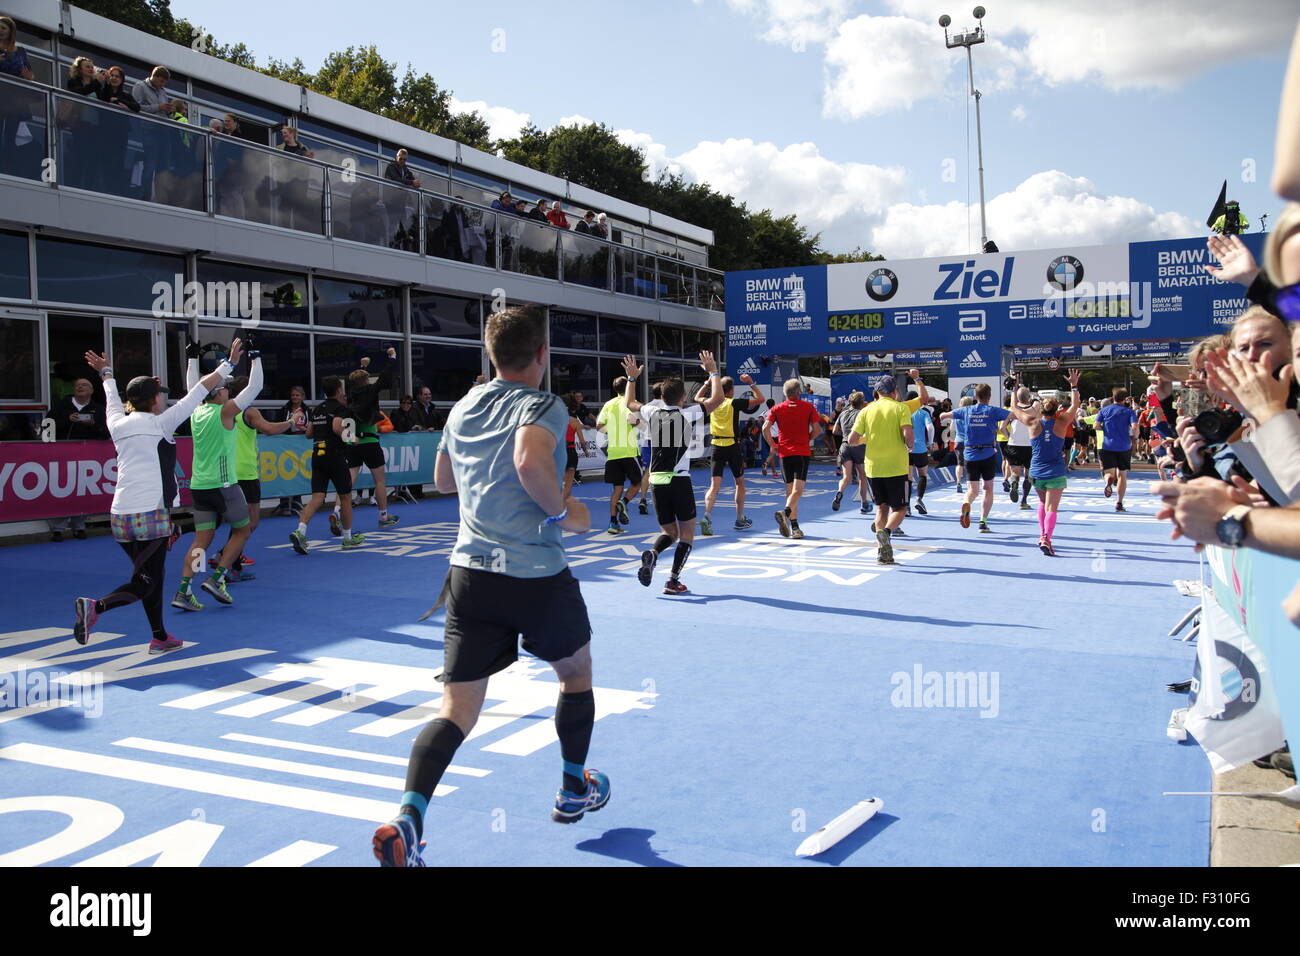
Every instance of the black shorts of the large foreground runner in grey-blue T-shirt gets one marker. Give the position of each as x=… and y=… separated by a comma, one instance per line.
x=488, y=613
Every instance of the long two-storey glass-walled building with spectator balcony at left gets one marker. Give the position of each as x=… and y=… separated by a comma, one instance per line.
x=124, y=232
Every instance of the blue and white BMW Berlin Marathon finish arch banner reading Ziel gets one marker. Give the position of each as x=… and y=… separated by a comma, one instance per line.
x=980, y=309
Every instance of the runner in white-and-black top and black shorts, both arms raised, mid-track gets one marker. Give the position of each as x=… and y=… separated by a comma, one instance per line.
x=671, y=432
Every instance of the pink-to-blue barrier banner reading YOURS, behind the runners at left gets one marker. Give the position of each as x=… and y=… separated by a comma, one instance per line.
x=77, y=478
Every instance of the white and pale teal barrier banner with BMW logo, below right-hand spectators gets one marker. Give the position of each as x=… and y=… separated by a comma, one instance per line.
x=1253, y=648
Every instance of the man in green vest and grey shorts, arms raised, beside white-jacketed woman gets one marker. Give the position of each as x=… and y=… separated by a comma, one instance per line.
x=214, y=486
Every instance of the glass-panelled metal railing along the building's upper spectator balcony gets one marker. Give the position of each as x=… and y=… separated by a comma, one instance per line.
x=80, y=142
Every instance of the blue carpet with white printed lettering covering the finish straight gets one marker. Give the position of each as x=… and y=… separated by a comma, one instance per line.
x=1007, y=707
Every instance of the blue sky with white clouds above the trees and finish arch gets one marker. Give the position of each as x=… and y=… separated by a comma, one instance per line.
x=1103, y=123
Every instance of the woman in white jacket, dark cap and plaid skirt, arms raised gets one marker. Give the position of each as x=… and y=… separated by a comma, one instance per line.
x=146, y=490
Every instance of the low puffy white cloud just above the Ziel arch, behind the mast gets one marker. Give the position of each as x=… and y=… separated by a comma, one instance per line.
x=1050, y=209
